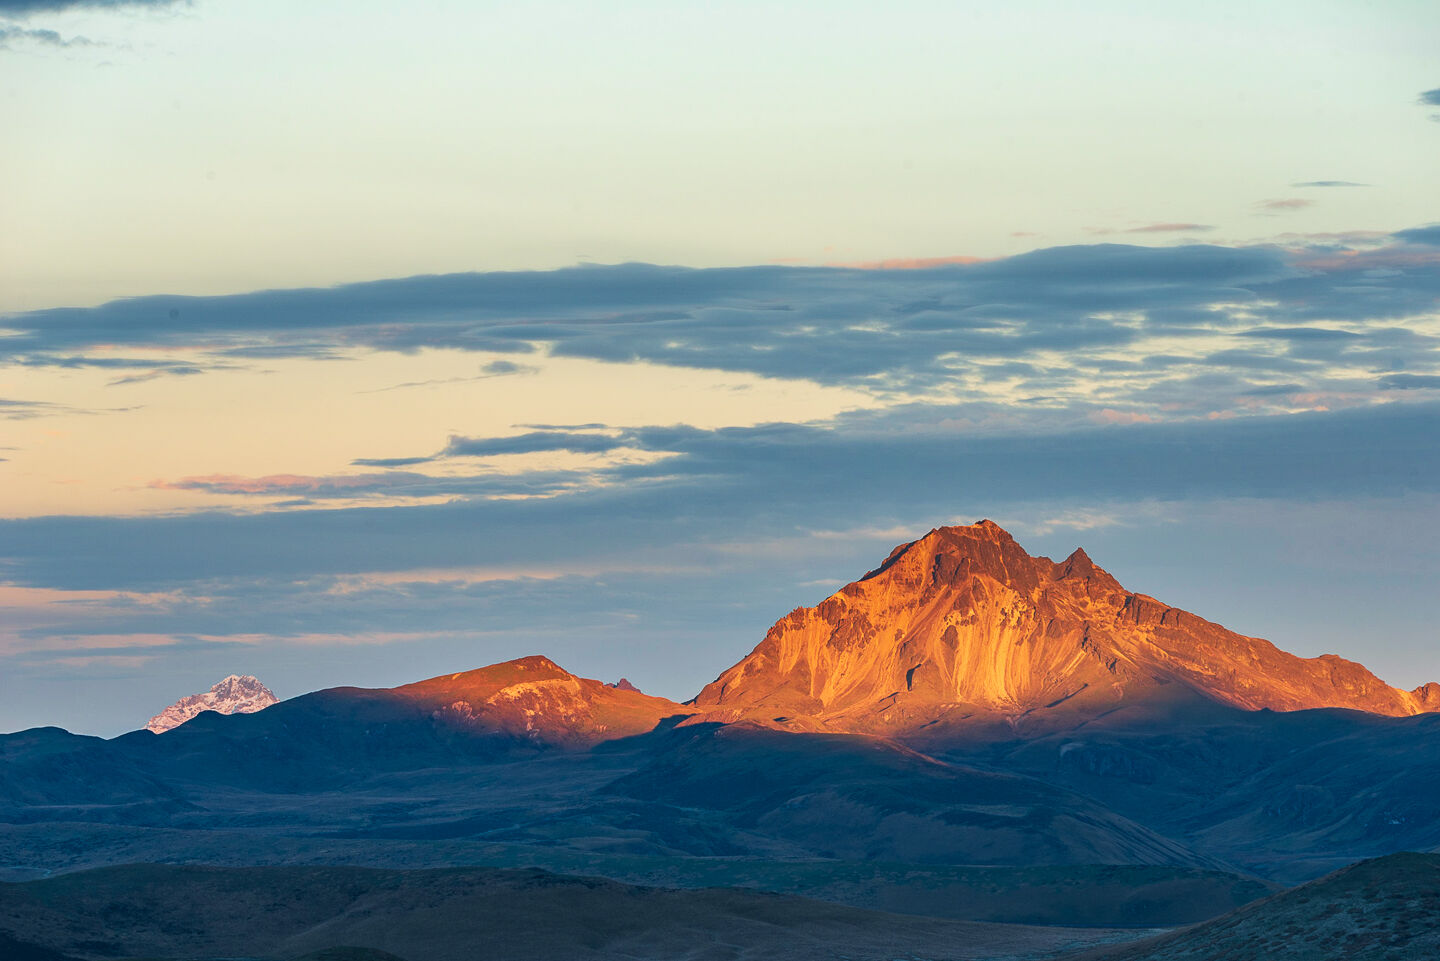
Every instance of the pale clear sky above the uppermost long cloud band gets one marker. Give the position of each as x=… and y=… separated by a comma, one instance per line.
x=225, y=146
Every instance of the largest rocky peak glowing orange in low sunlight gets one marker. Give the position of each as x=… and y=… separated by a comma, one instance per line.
x=966, y=626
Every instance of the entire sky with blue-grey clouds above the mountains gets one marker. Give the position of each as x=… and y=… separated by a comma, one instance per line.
x=359, y=344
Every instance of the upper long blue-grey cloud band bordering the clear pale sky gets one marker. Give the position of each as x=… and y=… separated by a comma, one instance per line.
x=1074, y=328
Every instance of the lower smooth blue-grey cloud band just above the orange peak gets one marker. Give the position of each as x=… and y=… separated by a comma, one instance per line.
x=745, y=483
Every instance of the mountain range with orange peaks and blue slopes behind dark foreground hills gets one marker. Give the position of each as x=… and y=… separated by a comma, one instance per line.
x=967, y=731
